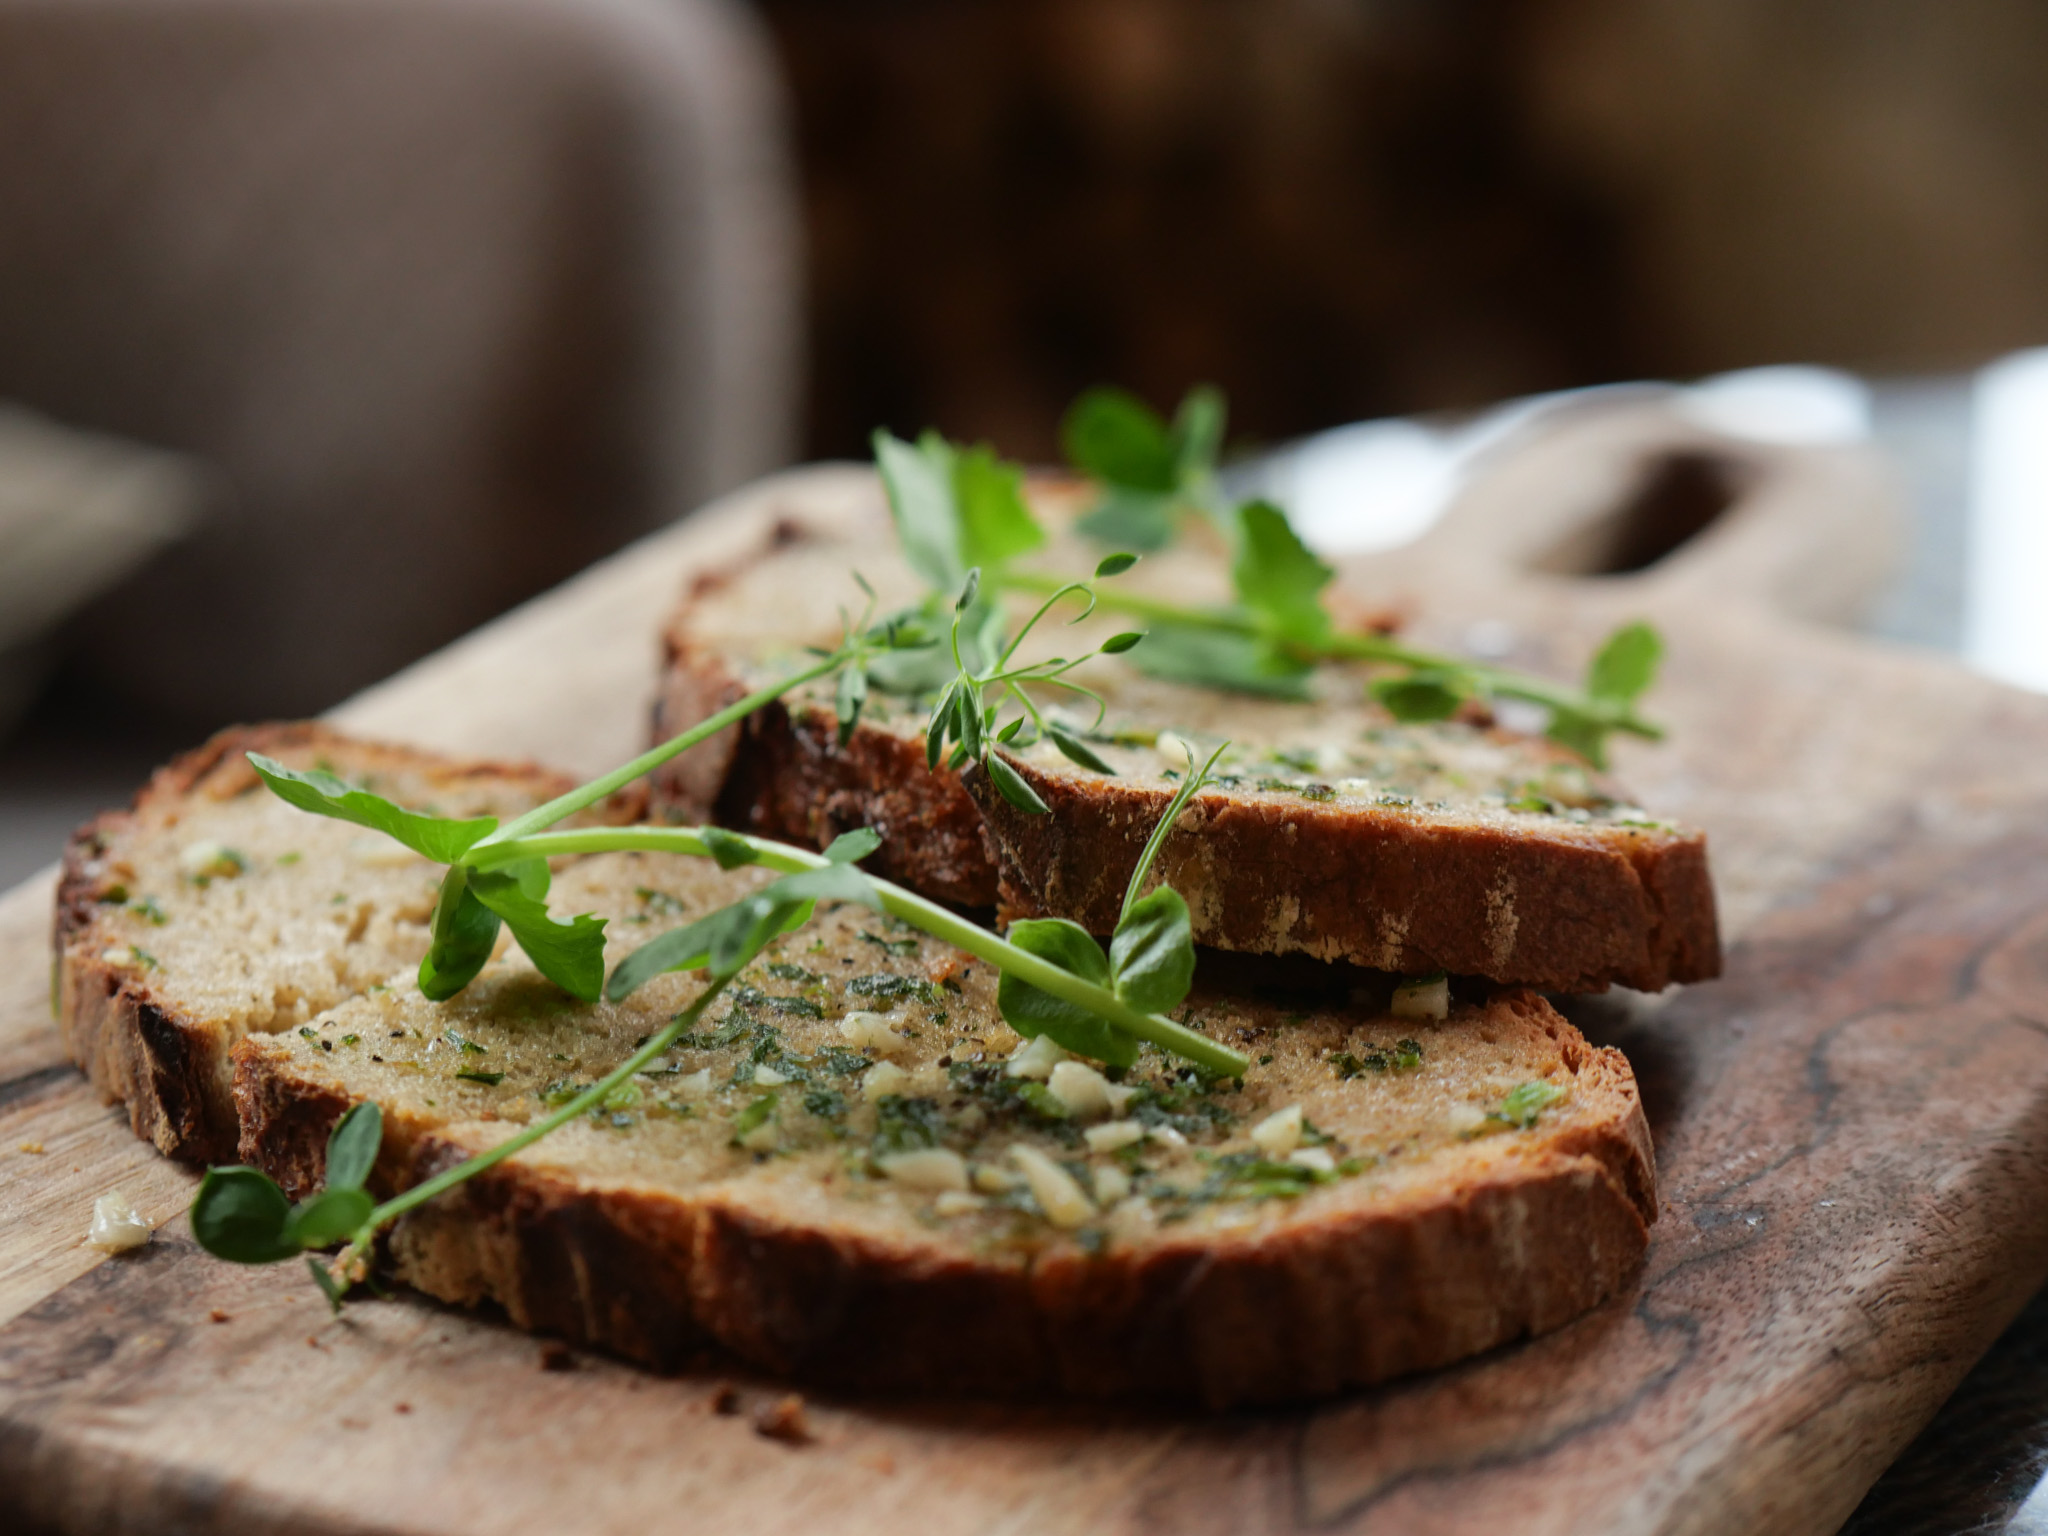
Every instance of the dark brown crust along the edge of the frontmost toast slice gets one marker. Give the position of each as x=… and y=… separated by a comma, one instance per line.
x=1365, y=1291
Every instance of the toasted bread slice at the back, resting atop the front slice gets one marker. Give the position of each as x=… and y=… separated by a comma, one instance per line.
x=1332, y=833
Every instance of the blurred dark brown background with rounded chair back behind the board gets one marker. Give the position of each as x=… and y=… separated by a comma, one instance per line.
x=331, y=331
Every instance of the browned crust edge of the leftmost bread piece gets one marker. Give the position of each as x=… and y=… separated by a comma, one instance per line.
x=138, y=1048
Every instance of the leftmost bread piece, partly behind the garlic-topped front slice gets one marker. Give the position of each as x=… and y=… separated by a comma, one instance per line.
x=212, y=910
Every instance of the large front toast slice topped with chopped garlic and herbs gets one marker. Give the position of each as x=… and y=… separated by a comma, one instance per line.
x=826, y=1179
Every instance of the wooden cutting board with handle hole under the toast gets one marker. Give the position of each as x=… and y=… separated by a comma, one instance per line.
x=1852, y=1125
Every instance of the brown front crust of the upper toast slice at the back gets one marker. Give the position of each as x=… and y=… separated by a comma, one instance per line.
x=1572, y=908
